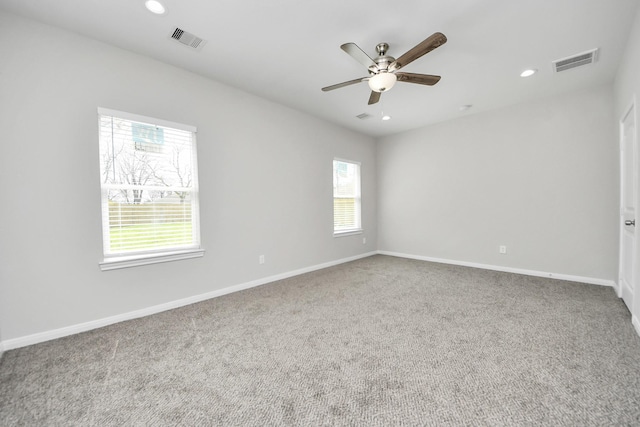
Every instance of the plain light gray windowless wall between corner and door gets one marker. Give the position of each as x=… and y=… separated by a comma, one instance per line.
x=540, y=178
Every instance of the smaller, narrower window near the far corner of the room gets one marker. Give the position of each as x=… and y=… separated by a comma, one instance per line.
x=346, y=197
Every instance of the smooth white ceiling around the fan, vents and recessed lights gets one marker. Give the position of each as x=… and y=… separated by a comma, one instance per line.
x=286, y=50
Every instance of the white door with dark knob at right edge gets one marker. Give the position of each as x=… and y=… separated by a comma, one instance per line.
x=628, y=197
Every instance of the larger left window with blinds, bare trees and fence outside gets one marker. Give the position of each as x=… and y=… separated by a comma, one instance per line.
x=149, y=182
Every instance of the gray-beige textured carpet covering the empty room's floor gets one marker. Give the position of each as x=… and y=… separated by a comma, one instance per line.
x=376, y=342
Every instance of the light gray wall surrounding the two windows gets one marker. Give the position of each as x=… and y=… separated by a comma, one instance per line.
x=265, y=179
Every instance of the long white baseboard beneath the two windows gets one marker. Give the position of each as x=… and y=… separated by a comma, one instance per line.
x=99, y=323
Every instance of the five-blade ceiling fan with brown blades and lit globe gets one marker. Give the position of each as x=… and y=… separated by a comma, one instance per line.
x=383, y=71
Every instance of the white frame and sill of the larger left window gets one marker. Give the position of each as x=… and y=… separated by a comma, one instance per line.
x=113, y=261
